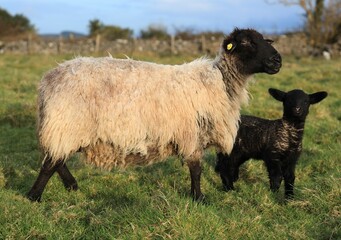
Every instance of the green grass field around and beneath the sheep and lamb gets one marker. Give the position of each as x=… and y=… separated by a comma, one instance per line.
x=153, y=202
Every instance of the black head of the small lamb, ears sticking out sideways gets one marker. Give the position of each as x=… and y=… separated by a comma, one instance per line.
x=296, y=103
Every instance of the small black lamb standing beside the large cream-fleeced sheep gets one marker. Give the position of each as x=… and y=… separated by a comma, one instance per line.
x=277, y=142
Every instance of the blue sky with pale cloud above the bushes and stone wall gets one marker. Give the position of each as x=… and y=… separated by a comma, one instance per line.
x=55, y=16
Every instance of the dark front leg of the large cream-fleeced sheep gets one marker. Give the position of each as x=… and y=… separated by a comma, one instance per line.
x=195, y=171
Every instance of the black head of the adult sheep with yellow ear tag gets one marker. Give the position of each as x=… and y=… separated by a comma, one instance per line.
x=252, y=53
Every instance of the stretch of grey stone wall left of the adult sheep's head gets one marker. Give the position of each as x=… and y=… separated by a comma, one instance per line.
x=88, y=46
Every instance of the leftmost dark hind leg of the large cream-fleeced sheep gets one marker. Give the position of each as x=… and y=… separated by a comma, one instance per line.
x=46, y=172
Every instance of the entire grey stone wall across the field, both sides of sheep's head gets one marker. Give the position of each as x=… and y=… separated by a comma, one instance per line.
x=294, y=44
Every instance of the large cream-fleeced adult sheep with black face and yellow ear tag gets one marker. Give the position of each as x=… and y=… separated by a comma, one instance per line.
x=123, y=112
